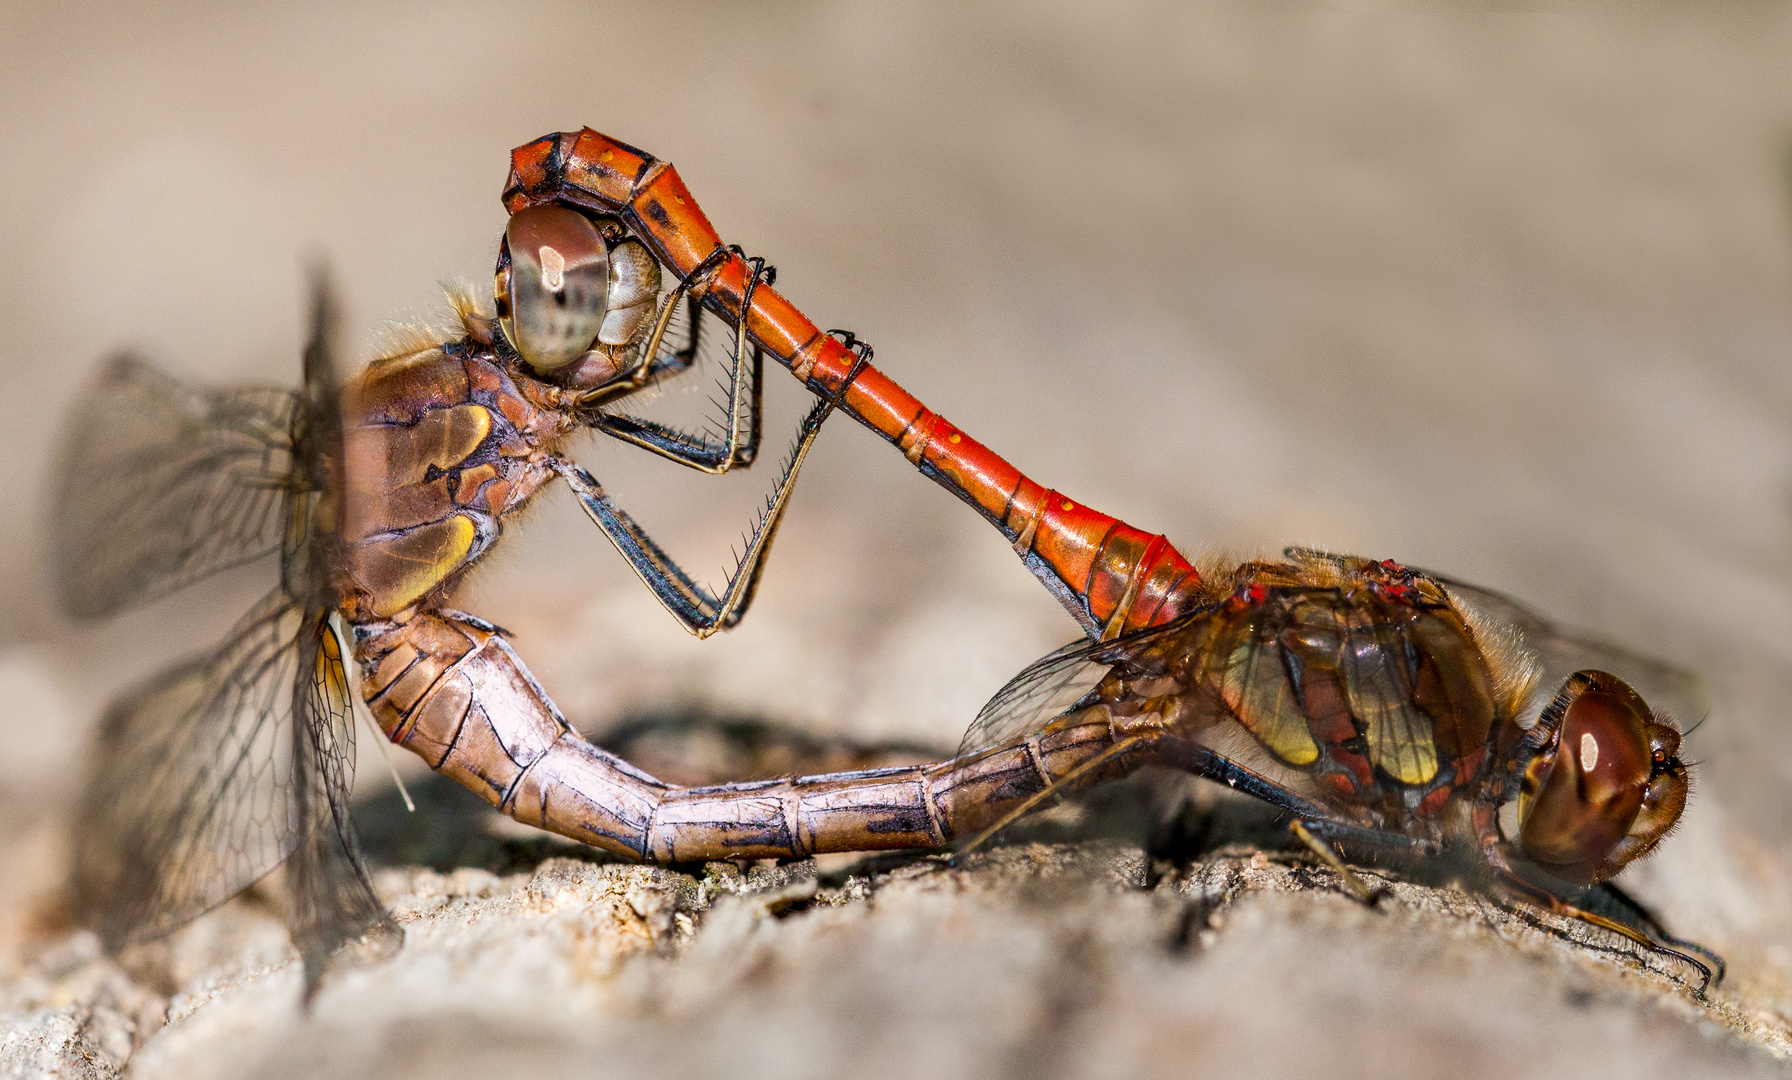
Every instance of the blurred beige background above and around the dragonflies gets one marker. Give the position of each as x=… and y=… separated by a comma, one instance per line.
x=1499, y=295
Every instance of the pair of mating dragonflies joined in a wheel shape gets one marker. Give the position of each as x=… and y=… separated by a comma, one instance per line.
x=1386, y=710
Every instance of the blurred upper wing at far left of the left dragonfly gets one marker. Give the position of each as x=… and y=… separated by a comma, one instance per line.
x=162, y=484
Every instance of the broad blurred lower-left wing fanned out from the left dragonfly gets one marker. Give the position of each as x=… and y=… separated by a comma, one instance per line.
x=189, y=801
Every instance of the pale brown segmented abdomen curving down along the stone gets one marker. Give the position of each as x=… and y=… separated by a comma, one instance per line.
x=449, y=689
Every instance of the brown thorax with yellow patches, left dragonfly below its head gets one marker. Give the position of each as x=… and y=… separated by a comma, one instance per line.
x=438, y=450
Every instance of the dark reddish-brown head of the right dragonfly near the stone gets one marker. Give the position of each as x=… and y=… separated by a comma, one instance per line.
x=1607, y=787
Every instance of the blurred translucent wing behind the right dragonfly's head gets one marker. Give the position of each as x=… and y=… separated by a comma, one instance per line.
x=1669, y=690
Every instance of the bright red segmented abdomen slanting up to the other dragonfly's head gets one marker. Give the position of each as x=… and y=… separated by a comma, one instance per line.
x=1112, y=576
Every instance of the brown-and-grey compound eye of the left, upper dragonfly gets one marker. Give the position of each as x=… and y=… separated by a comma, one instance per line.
x=553, y=286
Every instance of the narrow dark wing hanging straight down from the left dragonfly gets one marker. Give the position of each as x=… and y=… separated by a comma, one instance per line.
x=331, y=900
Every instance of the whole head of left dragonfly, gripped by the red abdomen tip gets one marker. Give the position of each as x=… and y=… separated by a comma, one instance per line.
x=573, y=293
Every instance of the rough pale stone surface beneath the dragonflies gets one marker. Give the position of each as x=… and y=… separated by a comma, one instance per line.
x=1031, y=959
